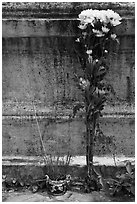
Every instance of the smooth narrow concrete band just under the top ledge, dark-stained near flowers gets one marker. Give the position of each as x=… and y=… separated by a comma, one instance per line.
x=54, y=27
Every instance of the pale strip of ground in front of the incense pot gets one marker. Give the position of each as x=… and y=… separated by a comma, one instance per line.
x=69, y=196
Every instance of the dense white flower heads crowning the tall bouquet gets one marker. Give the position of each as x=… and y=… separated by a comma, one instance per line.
x=101, y=21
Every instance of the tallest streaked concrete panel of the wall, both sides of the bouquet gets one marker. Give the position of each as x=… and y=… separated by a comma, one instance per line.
x=37, y=68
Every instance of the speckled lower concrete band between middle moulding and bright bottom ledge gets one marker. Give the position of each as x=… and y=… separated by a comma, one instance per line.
x=21, y=137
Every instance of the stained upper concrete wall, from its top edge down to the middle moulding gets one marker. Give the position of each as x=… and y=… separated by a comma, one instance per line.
x=39, y=53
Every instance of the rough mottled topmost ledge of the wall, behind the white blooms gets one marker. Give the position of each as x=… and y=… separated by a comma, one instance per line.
x=63, y=9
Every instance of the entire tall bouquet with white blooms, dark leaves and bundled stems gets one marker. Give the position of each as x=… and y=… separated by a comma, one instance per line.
x=92, y=47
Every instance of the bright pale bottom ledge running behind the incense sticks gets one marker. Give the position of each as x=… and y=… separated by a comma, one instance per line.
x=76, y=160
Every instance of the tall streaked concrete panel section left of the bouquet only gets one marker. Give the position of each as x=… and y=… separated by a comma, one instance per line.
x=39, y=67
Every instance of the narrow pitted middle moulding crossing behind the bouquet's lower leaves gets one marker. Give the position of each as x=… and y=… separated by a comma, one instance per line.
x=27, y=111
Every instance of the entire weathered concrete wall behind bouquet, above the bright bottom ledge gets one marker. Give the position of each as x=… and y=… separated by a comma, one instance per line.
x=38, y=65
